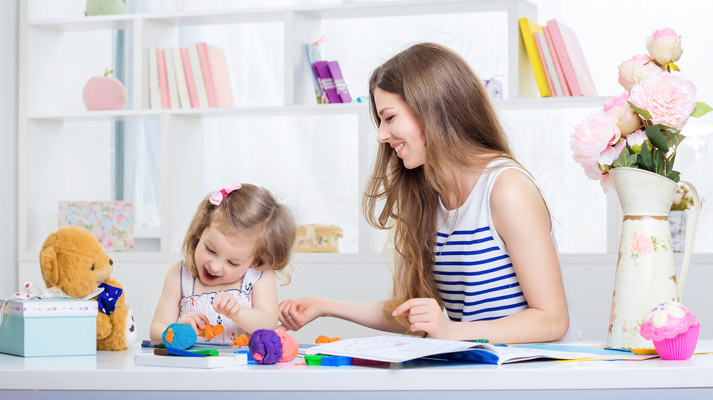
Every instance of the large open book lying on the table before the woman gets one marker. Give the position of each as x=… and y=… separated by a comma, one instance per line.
x=398, y=349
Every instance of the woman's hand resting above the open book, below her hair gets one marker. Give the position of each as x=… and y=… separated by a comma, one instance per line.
x=427, y=316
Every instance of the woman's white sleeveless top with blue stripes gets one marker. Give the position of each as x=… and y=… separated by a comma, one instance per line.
x=473, y=272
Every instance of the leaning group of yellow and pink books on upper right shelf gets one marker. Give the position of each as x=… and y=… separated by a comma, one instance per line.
x=557, y=59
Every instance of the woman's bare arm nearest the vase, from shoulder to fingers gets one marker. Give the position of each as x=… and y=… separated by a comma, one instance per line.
x=522, y=220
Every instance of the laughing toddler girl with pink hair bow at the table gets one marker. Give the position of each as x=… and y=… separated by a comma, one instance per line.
x=238, y=238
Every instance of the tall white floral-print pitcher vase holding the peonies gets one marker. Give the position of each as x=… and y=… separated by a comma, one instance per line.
x=645, y=269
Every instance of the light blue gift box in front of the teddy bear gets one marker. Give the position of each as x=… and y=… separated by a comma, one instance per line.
x=49, y=327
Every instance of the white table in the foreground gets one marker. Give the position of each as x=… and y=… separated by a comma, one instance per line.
x=113, y=375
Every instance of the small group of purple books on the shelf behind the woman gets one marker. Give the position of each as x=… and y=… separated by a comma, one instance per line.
x=329, y=84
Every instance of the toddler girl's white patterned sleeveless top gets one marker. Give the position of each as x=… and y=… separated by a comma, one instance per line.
x=203, y=303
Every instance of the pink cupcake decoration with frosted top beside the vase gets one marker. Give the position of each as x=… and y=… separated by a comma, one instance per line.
x=674, y=330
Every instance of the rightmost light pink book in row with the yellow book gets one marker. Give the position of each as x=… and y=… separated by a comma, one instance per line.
x=571, y=58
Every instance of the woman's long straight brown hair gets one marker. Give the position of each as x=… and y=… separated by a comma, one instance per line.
x=461, y=130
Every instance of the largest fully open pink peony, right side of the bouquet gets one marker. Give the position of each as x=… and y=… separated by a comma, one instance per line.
x=669, y=98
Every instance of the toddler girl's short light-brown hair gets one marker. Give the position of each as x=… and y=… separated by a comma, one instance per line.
x=250, y=210
